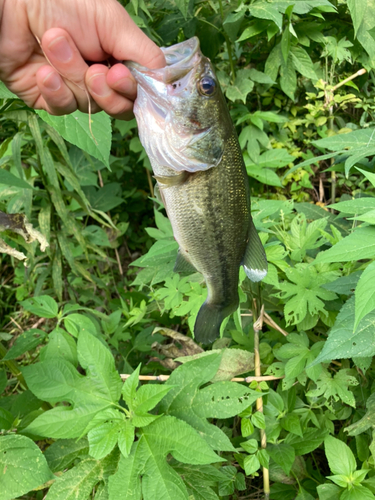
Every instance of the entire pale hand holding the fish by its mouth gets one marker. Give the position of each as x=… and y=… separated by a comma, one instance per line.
x=55, y=76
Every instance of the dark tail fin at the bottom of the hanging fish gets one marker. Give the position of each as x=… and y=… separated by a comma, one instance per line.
x=209, y=319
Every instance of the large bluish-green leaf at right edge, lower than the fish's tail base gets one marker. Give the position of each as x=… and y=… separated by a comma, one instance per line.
x=342, y=342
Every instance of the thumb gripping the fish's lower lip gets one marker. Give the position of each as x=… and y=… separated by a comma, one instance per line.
x=121, y=38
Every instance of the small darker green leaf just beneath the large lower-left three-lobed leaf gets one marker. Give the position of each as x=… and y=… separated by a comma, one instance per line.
x=62, y=453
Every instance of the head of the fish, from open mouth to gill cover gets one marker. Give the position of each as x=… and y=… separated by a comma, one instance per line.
x=182, y=116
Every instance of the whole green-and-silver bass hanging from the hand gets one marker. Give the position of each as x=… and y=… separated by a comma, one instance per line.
x=186, y=129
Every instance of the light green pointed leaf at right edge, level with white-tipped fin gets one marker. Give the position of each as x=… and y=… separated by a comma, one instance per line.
x=360, y=242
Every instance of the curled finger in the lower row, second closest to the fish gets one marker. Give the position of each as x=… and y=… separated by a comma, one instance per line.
x=105, y=96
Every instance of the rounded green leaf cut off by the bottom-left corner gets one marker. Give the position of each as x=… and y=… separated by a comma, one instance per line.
x=19, y=453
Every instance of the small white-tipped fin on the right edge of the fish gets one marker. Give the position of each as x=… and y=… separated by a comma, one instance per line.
x=254, y=261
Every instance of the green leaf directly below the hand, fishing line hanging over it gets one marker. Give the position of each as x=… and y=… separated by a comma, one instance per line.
x=75, y=129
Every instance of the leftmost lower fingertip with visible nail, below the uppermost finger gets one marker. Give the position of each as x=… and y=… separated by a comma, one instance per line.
x=58, y=98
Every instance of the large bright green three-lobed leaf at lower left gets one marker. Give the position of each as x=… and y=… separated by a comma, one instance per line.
x=57, y=380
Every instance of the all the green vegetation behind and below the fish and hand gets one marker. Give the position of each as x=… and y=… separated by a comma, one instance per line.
x=101, y=300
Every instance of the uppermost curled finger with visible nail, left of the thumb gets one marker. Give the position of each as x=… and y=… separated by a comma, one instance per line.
x=63, y=55
